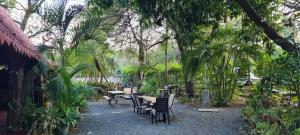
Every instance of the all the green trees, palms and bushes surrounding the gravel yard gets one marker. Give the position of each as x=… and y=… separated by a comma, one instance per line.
x=202, y=44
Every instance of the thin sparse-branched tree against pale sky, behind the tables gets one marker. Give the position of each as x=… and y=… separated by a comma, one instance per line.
x=130, y=34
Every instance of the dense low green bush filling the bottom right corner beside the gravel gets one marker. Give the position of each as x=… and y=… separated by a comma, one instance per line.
x=269, y=120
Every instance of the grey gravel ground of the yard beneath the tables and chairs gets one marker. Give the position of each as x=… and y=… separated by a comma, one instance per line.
x=118, y=119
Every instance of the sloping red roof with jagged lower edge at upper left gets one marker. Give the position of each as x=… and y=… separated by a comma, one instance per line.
x=14, y=36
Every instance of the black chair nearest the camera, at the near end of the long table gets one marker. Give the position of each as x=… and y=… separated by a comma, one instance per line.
x=161, y=107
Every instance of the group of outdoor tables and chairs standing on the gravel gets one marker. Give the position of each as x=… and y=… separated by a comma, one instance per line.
x=156, y=107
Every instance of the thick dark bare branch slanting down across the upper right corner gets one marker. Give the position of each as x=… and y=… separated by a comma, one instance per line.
x=268, y=30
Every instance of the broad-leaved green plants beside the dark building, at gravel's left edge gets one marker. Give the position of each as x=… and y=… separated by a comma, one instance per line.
x=66, y=99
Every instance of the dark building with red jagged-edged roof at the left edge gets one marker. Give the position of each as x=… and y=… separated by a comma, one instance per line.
x=17, y=57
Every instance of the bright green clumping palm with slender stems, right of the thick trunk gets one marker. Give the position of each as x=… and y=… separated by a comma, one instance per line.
x=222, y=52
